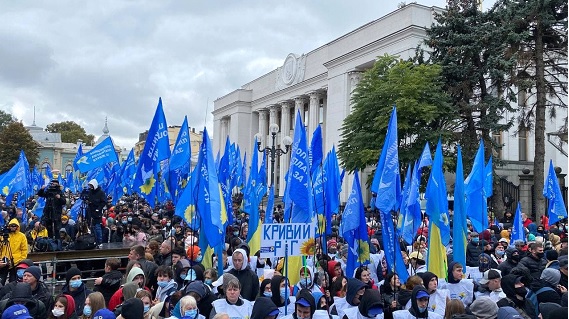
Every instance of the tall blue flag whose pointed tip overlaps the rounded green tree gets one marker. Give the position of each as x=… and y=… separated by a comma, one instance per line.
x=386, y=182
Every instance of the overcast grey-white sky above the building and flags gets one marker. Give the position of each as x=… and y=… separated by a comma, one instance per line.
x=83, y=61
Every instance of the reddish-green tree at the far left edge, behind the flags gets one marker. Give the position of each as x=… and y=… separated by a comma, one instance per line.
x=13, y=139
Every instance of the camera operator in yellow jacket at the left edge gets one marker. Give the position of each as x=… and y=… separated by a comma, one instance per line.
x=14, y=248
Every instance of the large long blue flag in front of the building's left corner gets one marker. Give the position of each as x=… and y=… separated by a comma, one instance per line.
x=207, y=191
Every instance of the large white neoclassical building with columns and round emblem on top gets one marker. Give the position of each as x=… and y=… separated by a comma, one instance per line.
x=318, y=85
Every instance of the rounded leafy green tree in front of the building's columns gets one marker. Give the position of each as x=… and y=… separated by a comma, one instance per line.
x=423, y=112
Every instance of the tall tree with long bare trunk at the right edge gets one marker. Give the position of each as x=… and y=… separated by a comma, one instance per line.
x=537, y=37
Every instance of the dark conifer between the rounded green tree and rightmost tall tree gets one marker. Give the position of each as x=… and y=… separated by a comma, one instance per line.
x=470, y=45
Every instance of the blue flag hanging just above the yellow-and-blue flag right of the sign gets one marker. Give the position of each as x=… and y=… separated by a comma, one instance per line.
x=436, y=195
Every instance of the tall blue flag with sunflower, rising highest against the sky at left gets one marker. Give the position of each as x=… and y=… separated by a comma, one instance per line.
x=156, y=149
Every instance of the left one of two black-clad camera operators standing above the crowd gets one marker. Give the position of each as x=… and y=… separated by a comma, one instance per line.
x=51, y=218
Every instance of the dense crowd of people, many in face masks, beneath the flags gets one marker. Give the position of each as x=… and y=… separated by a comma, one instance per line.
x=165, y=276
